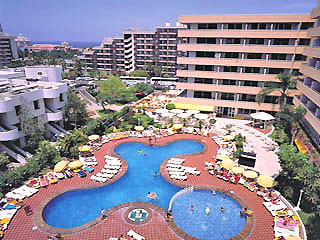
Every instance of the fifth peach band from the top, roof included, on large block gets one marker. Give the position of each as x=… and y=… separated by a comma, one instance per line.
x=228, y=75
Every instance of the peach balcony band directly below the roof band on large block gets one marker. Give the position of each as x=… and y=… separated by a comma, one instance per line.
x=243, y=33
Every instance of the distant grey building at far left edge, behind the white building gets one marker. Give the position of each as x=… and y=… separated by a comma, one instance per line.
x=8, y=48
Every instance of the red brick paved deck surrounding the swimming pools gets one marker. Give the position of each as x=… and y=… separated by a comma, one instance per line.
x=156, y=228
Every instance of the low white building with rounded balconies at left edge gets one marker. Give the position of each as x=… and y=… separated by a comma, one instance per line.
x=42, y=97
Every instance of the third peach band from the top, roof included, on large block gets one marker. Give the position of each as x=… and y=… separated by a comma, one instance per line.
x=240, y=48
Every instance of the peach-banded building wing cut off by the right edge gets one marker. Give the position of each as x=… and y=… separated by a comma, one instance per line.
x=309, y=86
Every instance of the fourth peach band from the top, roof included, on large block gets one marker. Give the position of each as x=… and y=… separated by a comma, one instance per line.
x=238, y=62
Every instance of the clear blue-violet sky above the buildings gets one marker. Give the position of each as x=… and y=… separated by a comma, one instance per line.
x=92, y=20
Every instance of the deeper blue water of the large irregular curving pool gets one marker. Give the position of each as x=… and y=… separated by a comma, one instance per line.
x=79, y=207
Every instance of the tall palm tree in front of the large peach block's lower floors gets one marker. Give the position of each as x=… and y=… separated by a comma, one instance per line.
x=286, y=82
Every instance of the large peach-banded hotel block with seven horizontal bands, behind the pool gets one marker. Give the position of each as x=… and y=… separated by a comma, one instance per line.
x=228, y=59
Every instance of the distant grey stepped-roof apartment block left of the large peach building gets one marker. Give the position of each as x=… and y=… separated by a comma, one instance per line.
x=135, y=50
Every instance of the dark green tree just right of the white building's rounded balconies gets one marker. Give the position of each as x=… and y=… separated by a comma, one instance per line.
x=75, y=110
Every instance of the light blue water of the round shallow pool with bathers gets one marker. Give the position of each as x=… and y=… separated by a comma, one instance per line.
x=215, y=226
